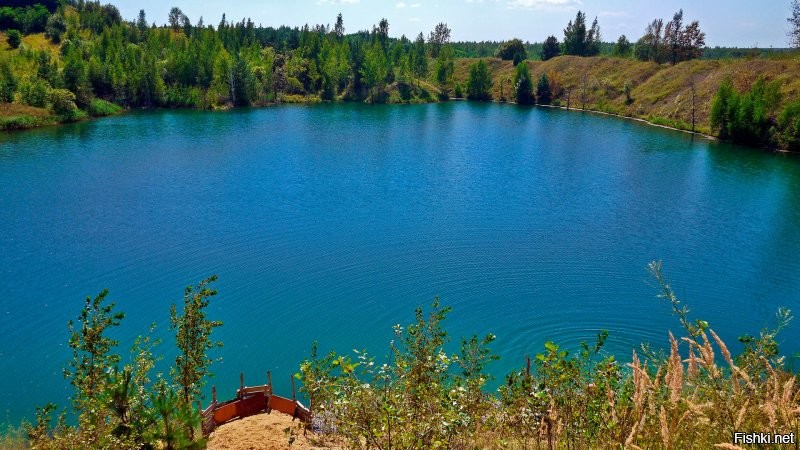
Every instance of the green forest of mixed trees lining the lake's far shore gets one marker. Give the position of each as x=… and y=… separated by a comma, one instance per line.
x=68, y=59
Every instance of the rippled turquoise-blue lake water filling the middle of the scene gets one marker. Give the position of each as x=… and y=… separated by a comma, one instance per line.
x=333, y=222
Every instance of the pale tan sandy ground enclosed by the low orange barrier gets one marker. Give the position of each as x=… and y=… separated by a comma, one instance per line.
x=266, y=432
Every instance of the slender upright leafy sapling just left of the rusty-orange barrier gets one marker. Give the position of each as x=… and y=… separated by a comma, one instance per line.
x=193, y=339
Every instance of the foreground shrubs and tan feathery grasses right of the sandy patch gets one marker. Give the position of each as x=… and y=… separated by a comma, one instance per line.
x=423, y=397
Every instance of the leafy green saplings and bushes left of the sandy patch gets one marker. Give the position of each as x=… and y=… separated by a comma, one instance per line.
x=121, y=406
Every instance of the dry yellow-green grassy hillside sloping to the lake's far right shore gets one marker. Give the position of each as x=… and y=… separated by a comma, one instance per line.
x=661, y=94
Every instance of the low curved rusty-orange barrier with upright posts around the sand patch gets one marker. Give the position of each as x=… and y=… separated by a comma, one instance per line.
x=250, y=400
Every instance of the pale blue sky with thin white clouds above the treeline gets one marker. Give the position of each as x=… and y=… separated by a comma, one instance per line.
x=732, y=23
